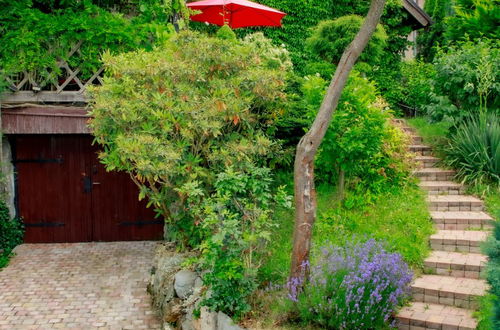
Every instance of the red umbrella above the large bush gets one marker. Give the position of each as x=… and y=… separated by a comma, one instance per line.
x=236, y=13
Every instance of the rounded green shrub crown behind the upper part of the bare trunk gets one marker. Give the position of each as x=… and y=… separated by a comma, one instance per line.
x=330, y=38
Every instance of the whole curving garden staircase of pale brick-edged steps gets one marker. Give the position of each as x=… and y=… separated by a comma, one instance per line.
x=446, y=295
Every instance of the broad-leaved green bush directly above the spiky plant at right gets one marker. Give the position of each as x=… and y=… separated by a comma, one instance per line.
x=467, y=80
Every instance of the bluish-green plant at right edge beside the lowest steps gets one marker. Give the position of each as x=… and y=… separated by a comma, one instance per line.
x=492, y=249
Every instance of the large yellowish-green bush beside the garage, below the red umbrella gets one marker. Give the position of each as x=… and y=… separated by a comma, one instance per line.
x=175, y=117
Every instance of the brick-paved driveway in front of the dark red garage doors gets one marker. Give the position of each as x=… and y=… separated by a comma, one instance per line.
x=80, y=285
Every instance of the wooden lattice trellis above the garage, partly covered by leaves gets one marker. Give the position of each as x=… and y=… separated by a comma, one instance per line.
x=67, y=86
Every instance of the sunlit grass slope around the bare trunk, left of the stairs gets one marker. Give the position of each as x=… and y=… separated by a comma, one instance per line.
x=399, y=217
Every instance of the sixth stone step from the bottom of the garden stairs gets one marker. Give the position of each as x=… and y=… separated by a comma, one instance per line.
x=454, y=203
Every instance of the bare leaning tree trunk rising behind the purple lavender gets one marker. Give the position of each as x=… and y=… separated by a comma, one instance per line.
x=305, y=193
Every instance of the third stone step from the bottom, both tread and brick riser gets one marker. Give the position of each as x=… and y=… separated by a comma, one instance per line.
x=469, y=265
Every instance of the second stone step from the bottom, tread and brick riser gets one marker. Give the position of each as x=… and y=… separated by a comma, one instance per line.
x=448, y=290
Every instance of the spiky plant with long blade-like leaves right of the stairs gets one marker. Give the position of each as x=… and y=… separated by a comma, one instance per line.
x=474, y=149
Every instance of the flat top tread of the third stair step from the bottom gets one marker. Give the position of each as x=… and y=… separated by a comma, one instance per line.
x=456, y=260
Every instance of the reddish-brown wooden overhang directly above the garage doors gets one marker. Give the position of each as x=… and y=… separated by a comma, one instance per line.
x=45, y=120
